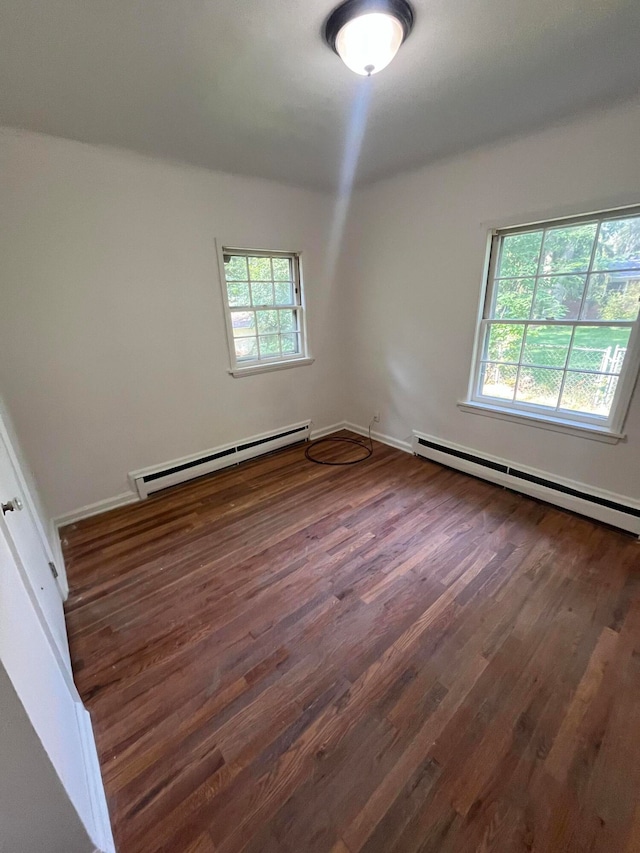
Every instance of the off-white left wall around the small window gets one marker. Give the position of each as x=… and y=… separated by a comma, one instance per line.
x=113, y=353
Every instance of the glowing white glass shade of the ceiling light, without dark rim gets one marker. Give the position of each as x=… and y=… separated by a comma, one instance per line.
x=368, y=43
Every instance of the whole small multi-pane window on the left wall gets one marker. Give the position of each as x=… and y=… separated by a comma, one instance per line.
x=264, y=308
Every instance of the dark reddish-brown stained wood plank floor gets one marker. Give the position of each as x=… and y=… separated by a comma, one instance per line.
x=389, y=657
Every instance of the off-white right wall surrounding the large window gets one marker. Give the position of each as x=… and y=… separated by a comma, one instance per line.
x=418, y=248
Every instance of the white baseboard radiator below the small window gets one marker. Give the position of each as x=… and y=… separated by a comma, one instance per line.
x=154, y=479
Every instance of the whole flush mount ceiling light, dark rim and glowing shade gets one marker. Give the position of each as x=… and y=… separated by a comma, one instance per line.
x=367, y=34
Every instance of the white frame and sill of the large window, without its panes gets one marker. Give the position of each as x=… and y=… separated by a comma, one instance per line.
x=609, y=429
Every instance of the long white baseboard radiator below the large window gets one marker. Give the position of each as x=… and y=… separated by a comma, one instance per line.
x=604, y=506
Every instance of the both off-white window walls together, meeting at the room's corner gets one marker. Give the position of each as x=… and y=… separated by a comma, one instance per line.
x=113, y=353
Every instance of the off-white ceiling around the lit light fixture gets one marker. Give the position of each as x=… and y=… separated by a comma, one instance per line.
x=248, y=86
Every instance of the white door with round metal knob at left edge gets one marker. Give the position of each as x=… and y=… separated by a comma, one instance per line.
x=29, y=551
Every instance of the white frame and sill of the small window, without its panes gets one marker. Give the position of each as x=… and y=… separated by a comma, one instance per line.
x=248, y=367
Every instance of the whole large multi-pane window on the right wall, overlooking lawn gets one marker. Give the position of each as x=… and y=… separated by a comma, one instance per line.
x=558, y=339
